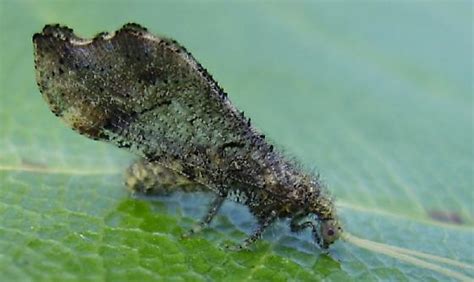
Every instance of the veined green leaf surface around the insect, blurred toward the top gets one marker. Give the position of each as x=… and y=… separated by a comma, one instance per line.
x=376, y=97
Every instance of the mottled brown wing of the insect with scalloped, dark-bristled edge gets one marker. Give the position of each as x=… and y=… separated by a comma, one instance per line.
x=150, y=95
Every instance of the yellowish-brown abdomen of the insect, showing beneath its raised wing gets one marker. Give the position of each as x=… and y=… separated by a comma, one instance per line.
x=152, y=178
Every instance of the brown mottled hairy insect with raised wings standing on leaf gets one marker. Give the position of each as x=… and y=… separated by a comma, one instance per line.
x=149, y=95
